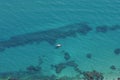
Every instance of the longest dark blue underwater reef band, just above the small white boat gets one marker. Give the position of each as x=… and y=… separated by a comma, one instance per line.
x=50, y=36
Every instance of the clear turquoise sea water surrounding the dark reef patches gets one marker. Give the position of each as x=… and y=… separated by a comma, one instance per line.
x=22, y=17
